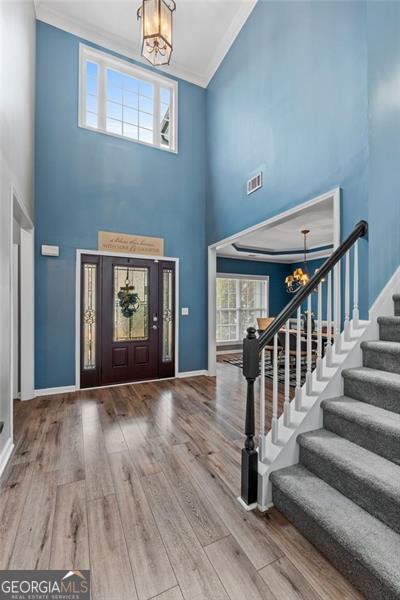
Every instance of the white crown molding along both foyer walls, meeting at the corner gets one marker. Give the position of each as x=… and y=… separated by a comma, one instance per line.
x=118, y=44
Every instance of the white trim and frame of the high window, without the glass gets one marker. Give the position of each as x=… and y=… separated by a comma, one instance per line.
x=103, y=58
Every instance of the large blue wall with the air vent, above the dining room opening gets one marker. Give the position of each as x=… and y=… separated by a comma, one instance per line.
x=290, y=97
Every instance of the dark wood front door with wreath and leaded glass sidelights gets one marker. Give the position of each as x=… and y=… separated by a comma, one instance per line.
x=127, y=328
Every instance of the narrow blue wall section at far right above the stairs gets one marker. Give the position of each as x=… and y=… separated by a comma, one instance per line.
x=383, y=35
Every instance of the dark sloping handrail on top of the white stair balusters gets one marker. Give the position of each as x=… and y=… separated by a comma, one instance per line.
x=266, y=337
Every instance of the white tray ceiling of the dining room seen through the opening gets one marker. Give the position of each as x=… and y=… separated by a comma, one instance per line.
x=285, y=236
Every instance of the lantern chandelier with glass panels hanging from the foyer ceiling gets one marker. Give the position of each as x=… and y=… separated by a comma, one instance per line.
x=156, y=30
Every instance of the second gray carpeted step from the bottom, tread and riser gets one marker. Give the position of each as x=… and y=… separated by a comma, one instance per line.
x=370, y=480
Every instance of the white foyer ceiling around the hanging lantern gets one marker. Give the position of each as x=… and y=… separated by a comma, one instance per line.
x=203, y=29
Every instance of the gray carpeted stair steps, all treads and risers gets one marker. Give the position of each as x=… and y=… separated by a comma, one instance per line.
x=344, y=495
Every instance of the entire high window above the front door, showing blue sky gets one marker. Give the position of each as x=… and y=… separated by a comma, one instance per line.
x=121, y=99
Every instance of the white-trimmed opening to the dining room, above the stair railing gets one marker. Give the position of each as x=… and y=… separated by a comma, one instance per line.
x=269, y=251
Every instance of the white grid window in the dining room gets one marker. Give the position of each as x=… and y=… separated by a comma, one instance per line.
x=240, y=300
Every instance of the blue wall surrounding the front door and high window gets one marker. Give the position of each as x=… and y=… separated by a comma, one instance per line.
x=88, y=181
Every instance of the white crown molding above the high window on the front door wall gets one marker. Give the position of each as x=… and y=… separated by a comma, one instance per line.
x=111, y=42
